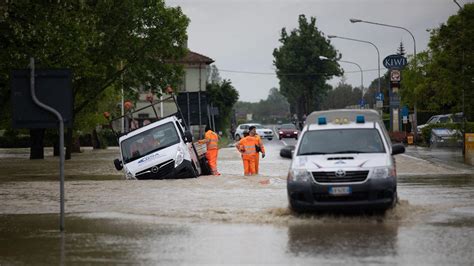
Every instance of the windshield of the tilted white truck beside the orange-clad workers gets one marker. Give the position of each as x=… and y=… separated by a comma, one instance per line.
x=149, y=141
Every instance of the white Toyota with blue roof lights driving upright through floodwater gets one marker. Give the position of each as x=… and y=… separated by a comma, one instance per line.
x=343, y=160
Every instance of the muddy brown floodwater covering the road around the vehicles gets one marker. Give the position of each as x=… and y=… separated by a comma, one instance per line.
x=219, y=220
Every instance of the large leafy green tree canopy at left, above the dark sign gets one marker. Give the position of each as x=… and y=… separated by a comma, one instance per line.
x=100, y=41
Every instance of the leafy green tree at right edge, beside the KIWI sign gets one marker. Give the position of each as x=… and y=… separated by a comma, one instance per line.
x=445, y=70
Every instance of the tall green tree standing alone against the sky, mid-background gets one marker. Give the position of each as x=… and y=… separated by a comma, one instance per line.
x=301, y=72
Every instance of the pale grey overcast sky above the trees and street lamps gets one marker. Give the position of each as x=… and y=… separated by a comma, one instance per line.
x=240, y=35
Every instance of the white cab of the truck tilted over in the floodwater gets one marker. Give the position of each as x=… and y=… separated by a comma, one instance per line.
x=159, y=150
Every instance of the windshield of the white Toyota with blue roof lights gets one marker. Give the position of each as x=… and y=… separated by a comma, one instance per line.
x=366, y=140
